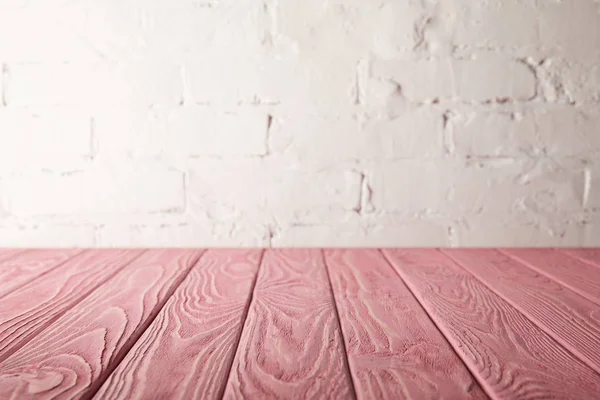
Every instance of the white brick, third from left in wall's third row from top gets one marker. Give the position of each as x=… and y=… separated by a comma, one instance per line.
x=308, y=138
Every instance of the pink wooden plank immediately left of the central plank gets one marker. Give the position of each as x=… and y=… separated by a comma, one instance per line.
x=187, y=351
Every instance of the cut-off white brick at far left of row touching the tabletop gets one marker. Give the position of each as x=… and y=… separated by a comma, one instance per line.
x=47, y=236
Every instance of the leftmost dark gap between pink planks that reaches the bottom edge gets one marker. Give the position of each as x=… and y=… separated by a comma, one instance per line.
x=137, y=334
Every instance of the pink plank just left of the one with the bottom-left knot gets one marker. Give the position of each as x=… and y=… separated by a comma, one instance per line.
x=29, y=310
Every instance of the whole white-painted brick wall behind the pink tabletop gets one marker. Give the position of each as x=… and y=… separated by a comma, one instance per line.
x=299, y=123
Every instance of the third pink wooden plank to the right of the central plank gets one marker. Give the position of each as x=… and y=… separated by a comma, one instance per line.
x=570, y=319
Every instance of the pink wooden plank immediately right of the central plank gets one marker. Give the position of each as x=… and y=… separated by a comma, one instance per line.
x=394, y=349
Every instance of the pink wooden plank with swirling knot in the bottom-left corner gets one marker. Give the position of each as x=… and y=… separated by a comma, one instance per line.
x=72, y=358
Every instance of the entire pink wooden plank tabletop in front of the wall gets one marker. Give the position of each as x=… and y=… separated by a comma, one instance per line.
x=302, y=323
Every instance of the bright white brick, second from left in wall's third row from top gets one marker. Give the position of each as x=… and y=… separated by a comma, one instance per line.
x=182, y=131
